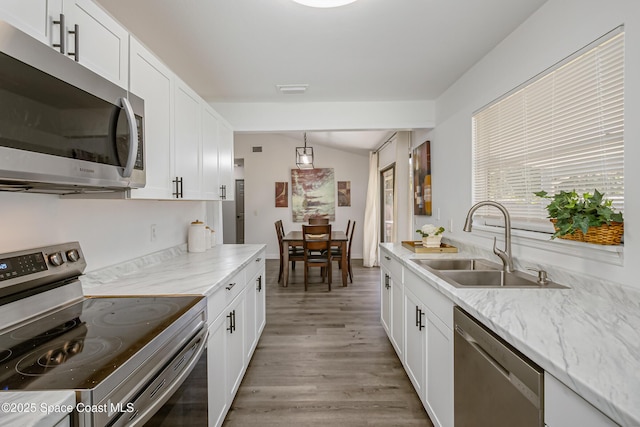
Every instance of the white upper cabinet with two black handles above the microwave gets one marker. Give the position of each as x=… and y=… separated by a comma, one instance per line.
x=90, y=35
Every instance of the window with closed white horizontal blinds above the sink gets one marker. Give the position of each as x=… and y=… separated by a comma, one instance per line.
x=562, y=130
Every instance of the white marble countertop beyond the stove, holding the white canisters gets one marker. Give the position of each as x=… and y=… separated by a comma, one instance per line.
x=173, y=271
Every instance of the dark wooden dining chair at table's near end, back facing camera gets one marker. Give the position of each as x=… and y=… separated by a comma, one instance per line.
x=316, y=243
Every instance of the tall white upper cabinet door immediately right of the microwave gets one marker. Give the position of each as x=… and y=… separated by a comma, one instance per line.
x=151, y=80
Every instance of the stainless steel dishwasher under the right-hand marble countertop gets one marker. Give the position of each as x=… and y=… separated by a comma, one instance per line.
x=494, y=384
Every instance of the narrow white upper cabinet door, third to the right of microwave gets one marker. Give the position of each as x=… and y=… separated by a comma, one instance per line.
x=210, y=142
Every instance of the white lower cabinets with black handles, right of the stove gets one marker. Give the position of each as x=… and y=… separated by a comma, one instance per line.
x=236, y=320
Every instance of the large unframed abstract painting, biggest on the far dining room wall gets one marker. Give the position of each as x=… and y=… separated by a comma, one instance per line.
x=313, y=193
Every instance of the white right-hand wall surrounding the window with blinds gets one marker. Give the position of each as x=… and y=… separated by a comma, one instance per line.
x=557, y=29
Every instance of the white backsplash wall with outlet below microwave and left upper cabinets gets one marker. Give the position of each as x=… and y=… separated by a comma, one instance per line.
x=109, y=231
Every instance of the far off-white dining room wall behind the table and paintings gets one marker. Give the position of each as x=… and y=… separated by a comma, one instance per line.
x=274, y=164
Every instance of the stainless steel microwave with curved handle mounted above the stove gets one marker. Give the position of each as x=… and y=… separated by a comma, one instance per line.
x=63, y=128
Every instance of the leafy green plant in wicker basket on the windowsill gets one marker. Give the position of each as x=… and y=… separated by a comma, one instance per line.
x=587, y=217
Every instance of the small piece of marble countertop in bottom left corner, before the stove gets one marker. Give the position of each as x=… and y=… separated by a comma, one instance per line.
x=35, y=408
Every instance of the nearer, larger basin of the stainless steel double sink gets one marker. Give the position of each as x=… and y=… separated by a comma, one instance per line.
x=493, y=279
